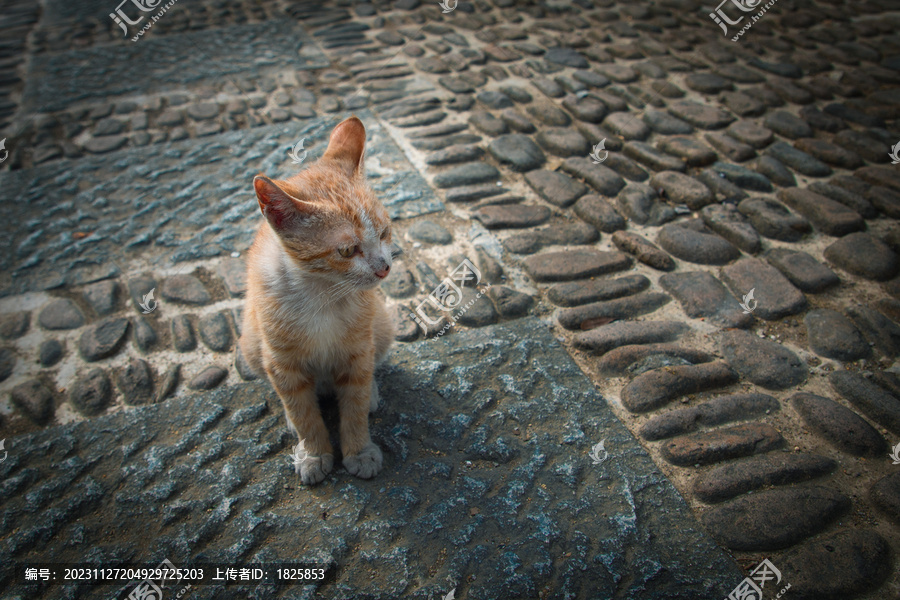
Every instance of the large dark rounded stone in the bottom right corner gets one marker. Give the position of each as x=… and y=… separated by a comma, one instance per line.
x=840, y=565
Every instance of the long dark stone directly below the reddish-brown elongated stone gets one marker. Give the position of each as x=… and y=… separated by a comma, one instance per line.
x=756, y=472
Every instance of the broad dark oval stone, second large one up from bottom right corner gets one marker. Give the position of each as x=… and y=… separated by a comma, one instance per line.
x=774, y=519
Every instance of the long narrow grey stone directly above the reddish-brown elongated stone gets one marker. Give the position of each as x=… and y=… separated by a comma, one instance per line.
x=724, y=409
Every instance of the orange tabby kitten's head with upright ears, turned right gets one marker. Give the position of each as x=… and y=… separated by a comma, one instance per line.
x=327, y=218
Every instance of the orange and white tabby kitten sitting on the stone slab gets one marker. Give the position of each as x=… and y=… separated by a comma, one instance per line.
x=314, y=318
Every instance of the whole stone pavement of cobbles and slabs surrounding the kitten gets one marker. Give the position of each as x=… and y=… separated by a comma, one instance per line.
x=722, y=269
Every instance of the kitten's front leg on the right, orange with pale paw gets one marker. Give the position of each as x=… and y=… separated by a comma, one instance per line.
x=354, y=387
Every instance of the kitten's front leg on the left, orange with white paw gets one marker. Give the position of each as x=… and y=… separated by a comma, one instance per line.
x=313, y=456
